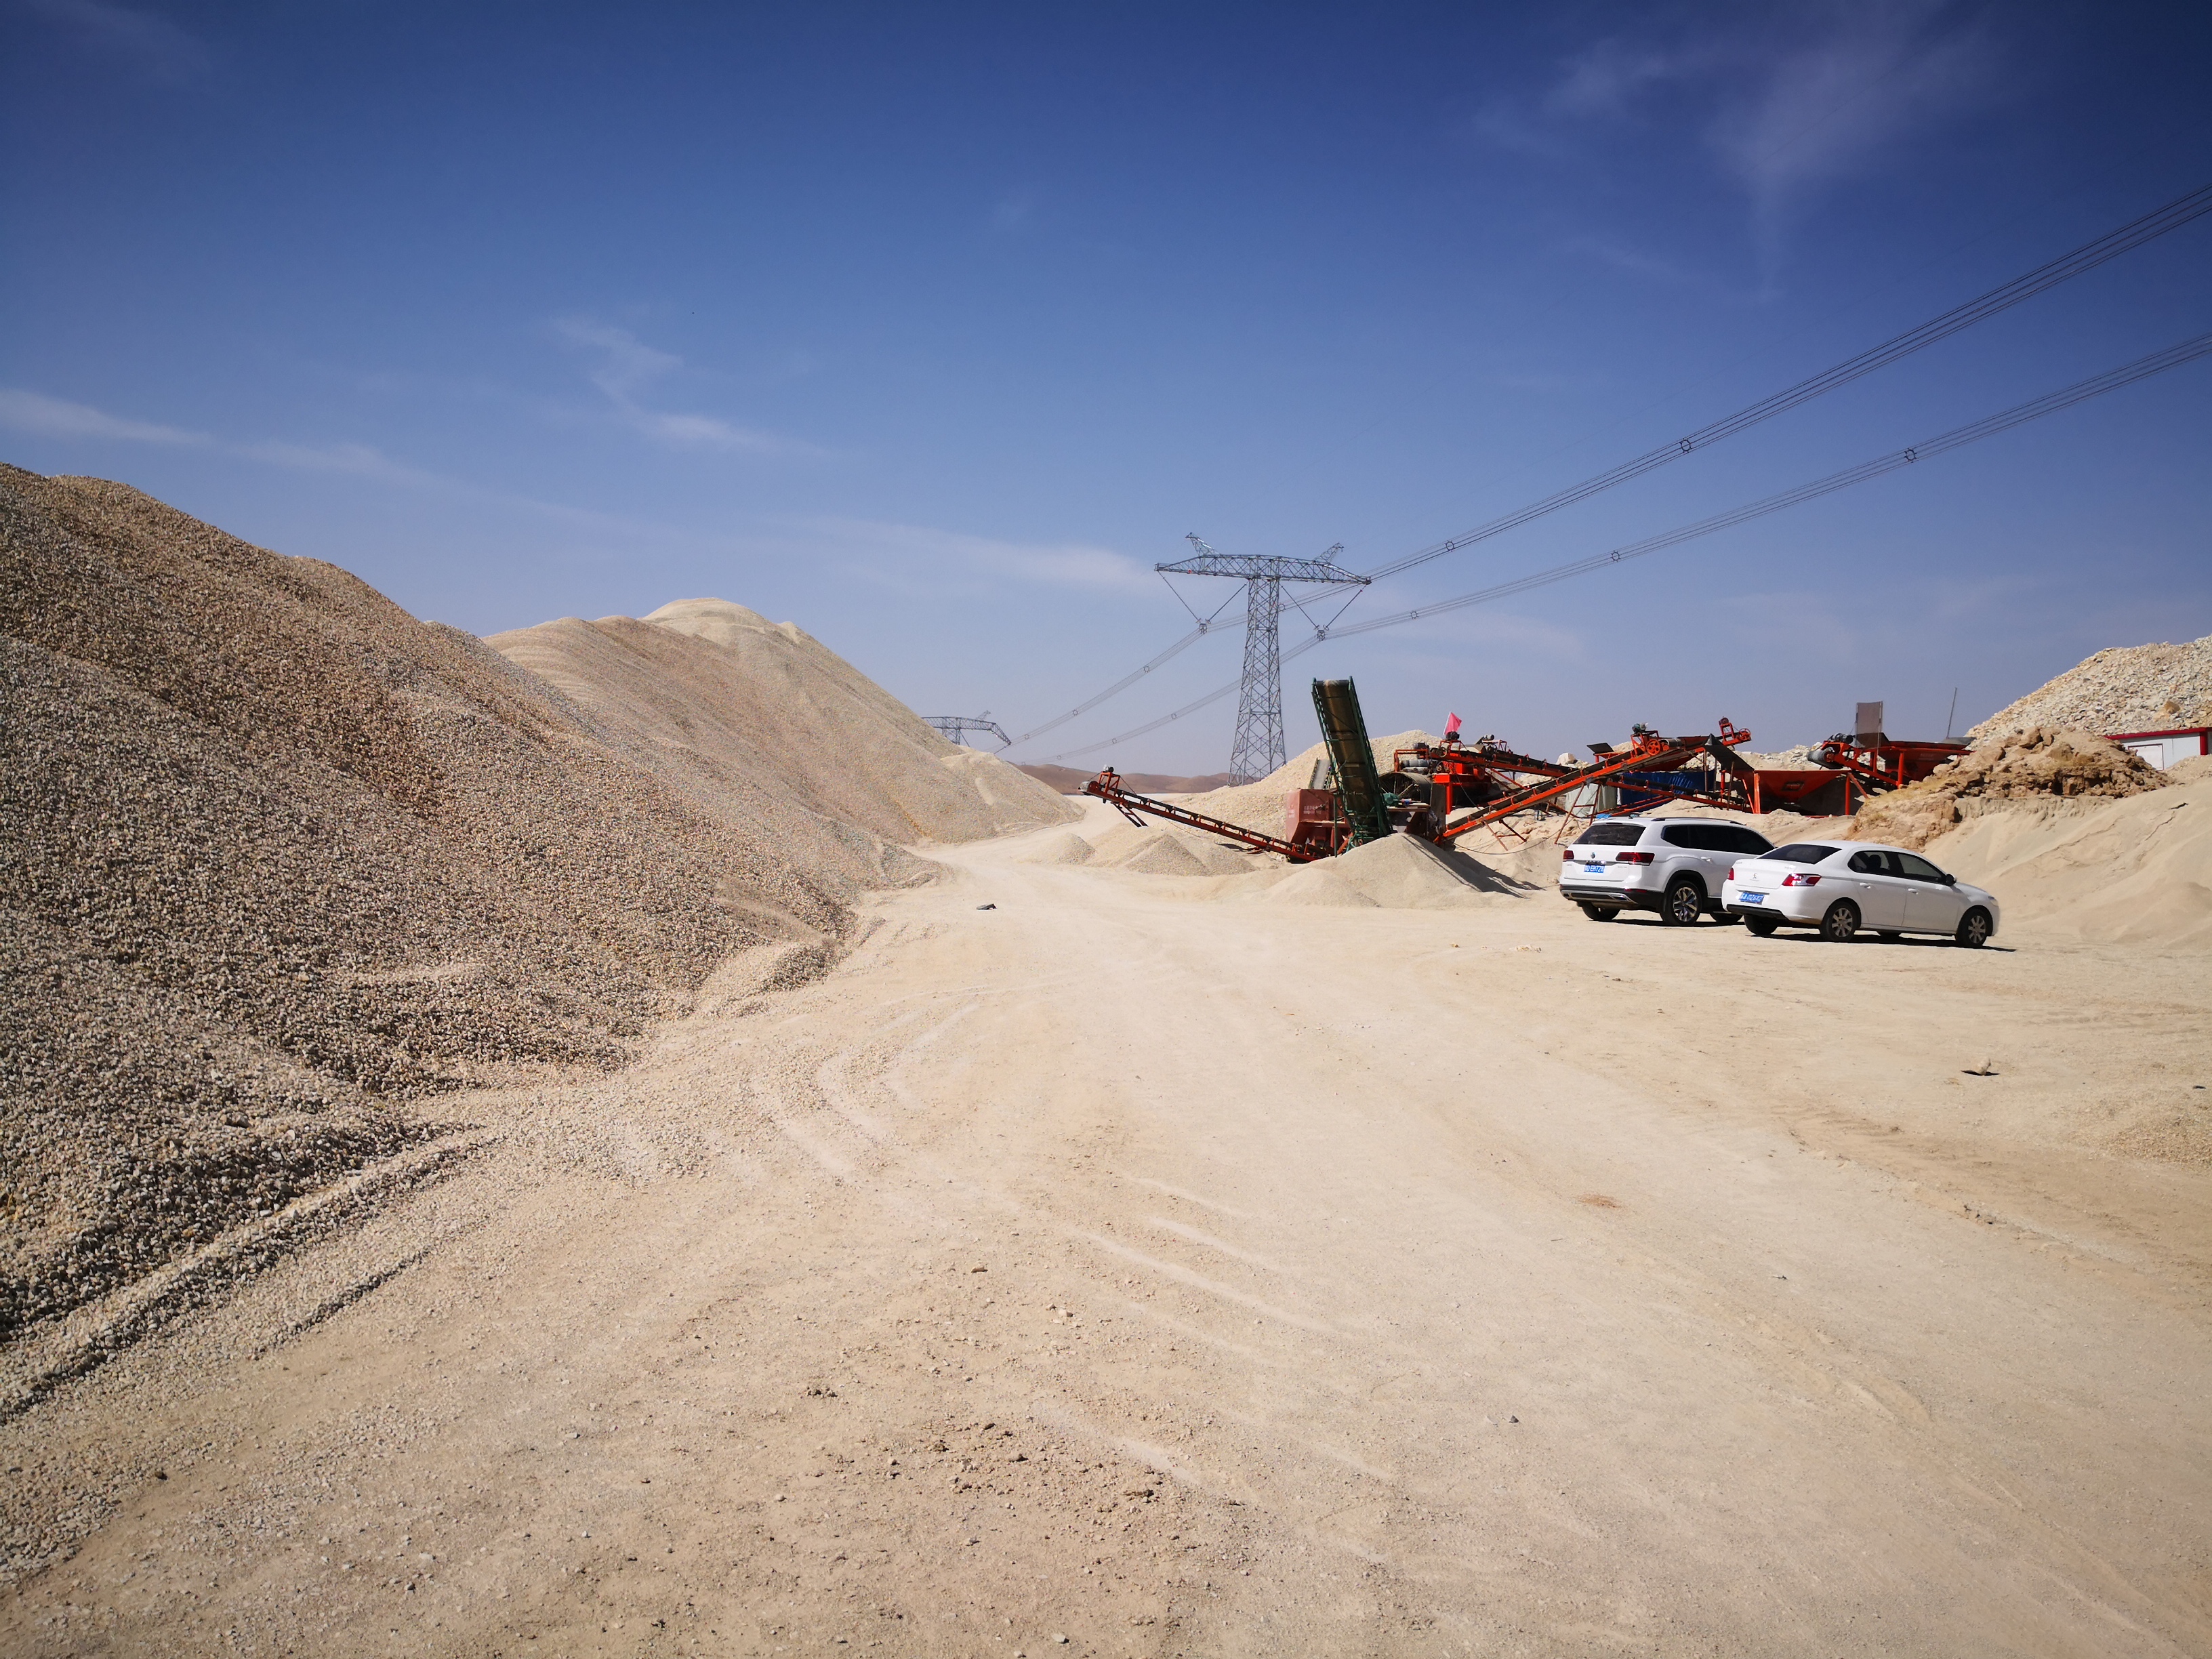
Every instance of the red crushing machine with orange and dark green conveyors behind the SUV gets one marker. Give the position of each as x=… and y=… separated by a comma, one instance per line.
x=1430, y=782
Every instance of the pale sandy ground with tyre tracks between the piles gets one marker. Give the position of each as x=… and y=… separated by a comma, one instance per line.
x=1114, y=1273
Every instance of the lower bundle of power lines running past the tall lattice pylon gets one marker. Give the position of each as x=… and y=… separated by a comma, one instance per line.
x=1943, y=444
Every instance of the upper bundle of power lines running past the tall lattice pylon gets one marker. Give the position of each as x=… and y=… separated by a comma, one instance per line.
x=1961, y=317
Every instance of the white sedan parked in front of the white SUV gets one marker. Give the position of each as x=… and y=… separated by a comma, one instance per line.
x=1846, y=886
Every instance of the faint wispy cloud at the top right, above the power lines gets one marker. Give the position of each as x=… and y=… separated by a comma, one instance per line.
x=1782, y=101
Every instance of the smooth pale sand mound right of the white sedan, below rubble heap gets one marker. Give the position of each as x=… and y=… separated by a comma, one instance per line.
x=2136, y=870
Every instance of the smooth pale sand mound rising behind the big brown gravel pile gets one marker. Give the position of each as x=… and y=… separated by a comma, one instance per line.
x=744, y=713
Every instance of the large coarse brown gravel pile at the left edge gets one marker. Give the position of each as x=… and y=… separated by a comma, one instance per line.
x=282, y=857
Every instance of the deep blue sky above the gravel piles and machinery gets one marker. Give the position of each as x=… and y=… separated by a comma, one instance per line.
x=932, y=328
